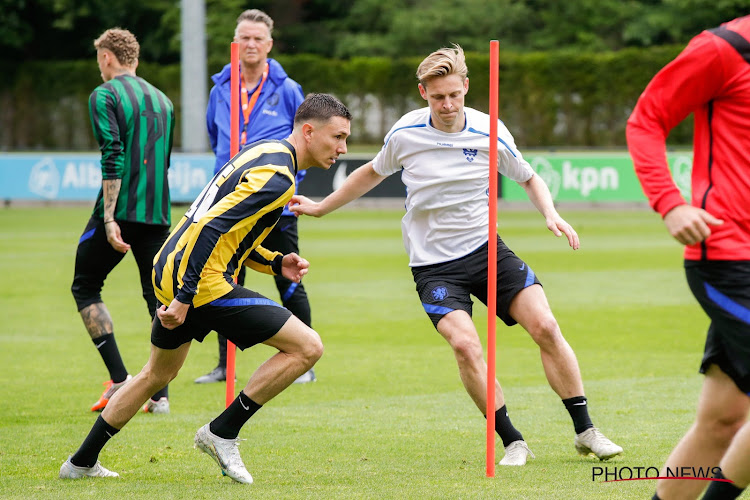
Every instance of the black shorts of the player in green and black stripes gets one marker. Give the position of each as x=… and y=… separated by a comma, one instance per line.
x=95, y=259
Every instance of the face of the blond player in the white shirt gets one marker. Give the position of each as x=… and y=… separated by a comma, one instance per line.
x=445, y=96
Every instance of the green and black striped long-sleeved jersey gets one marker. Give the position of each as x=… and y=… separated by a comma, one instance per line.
x=133, y=123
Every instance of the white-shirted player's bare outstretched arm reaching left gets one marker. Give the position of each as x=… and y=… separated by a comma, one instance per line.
x=357, y=184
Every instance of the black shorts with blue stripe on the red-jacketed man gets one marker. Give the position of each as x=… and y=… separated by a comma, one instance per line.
x=723, y=291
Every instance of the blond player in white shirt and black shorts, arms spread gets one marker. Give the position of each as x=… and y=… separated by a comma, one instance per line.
x=443, y=153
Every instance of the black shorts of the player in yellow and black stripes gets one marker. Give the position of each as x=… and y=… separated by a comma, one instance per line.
x=242, y=316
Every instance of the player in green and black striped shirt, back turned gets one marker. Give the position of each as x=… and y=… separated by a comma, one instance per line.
x=133, y=122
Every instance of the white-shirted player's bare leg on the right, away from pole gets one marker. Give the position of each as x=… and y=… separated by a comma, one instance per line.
x=531, y=309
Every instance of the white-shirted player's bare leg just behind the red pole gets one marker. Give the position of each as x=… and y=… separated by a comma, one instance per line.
x=459, y=330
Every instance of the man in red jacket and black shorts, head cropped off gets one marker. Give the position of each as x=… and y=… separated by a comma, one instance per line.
x=711, y=79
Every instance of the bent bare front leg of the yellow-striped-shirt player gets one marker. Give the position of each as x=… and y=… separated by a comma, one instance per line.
x=299, y=348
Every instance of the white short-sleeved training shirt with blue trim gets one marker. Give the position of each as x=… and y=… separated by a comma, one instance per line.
x=447, y=182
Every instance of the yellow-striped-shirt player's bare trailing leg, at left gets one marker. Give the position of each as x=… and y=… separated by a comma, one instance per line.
x=162, y=367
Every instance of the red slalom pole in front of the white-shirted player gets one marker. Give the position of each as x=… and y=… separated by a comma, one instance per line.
x=492, y=257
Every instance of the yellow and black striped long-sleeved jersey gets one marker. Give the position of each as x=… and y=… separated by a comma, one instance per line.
x=225, y=226
